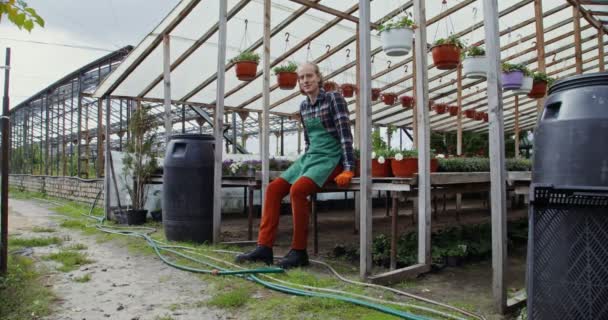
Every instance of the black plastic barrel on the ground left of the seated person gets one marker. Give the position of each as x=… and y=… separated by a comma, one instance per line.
x=188, y=188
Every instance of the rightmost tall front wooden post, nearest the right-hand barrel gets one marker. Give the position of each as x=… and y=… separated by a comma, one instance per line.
x=497, y=155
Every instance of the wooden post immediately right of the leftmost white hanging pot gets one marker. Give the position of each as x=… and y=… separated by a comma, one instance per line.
x=423, y=136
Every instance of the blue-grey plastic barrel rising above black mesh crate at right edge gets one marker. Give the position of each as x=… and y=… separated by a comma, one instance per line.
x=571, y=142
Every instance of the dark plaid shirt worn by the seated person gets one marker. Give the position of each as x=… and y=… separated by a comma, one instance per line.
x=331, y=109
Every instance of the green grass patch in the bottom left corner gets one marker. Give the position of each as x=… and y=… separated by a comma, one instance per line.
x=22, y=292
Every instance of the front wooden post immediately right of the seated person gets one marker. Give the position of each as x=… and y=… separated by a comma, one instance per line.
x=364, y=120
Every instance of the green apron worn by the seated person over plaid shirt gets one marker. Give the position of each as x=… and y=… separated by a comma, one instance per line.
x=319, y=161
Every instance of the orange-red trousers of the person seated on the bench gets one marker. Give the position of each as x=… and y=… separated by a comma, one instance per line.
x=300, y=209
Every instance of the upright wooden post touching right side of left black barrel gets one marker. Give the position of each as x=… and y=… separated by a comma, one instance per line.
x=218, y=126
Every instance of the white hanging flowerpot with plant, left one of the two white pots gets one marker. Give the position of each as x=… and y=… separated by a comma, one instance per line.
x=397, y=36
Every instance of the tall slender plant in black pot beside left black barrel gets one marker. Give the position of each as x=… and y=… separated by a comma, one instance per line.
x=139, y=163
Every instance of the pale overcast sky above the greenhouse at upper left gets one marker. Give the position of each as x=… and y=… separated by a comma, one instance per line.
x=98, y=27
